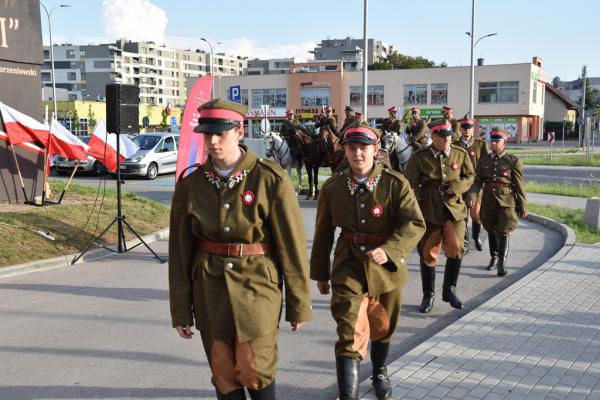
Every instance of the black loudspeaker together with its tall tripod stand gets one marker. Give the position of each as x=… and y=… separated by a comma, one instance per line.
x=122, y=116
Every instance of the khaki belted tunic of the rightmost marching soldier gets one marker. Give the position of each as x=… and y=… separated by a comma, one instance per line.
x=503, y=192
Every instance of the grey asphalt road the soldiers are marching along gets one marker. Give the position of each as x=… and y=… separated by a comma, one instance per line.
x=101, y=330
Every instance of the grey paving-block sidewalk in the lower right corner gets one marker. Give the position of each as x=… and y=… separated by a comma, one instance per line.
x=538, y=339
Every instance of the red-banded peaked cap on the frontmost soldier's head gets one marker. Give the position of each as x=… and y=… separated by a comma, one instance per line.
x=220, y=115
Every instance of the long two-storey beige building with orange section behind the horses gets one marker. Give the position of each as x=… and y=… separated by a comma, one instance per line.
x=510, y=96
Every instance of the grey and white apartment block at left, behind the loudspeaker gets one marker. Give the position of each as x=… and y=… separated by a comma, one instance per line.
x=162, y=73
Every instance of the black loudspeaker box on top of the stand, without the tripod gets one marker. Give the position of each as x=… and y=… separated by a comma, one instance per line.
x=122, y=108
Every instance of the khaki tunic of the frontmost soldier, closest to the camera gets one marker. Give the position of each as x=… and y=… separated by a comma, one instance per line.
x=239, y=296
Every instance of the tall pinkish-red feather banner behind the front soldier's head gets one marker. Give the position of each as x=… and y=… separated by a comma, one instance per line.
x=191, y=145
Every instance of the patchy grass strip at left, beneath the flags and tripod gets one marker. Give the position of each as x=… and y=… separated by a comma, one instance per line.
x=72, y=223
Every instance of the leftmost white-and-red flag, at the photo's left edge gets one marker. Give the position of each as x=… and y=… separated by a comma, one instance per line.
x=21, y=128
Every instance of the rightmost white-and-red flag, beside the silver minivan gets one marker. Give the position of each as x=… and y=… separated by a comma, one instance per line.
x=103, y=146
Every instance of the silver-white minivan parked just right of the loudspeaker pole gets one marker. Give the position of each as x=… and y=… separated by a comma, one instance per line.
x=157, y=154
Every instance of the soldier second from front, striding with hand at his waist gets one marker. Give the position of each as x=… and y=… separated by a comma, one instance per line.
x=380, y=224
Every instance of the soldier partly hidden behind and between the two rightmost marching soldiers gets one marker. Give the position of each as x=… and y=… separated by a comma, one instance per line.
x=476, y=147
